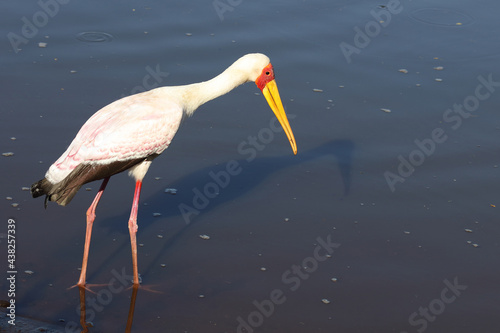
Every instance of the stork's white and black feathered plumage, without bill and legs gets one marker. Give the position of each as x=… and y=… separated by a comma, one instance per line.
x=130, y=130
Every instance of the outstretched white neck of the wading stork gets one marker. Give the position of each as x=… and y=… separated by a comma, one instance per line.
x=193, y=95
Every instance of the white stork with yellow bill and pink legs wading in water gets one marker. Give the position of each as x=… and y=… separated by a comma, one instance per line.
x=131, y=132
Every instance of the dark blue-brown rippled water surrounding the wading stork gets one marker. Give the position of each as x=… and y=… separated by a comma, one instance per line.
x=407, y=200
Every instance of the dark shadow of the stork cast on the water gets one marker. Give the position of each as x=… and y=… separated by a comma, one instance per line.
x=250, y=175
